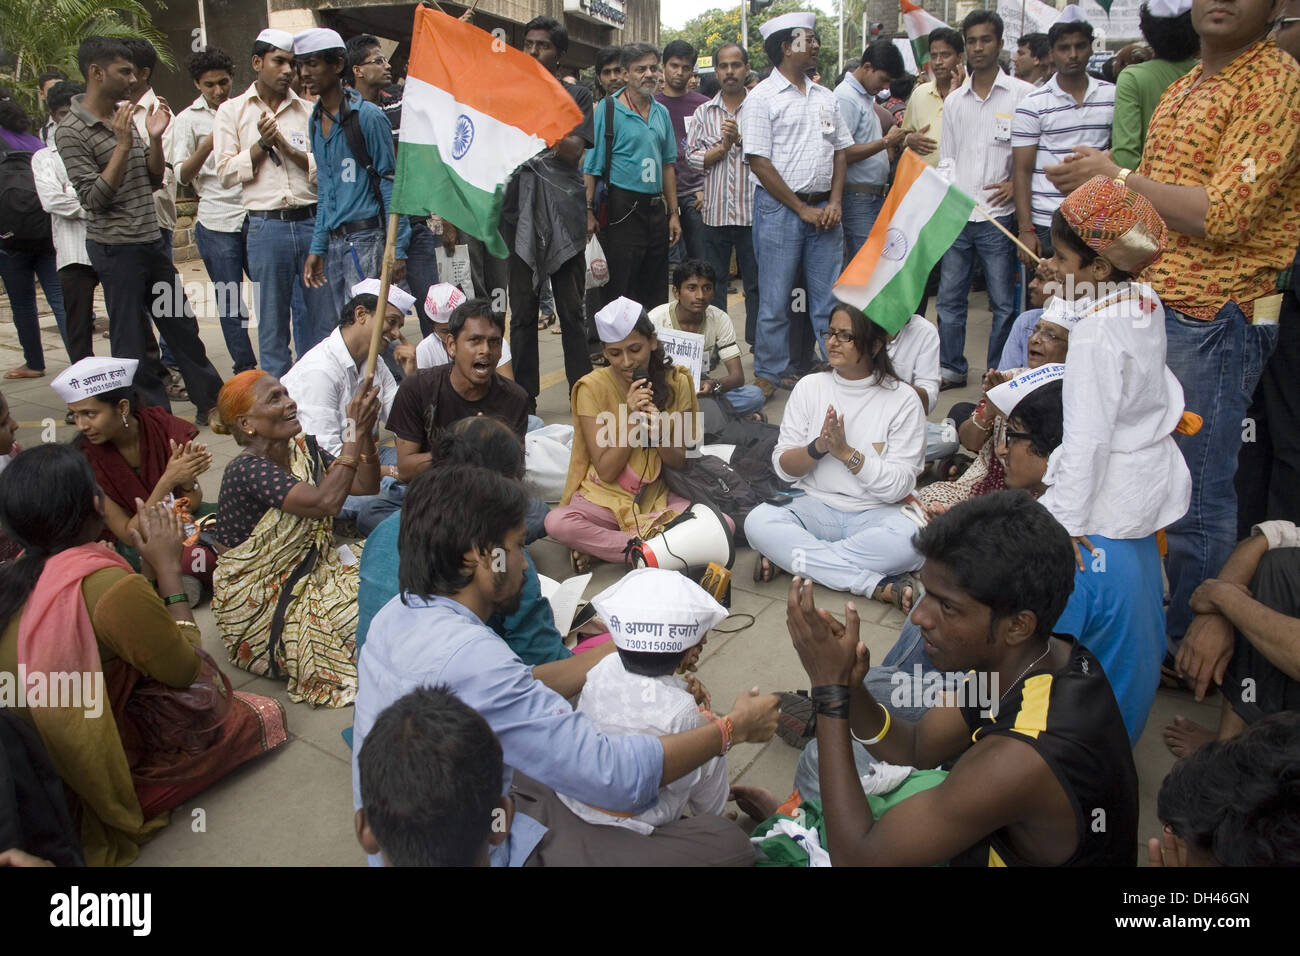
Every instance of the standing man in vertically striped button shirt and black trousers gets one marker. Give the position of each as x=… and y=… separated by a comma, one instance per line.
x=714, y=146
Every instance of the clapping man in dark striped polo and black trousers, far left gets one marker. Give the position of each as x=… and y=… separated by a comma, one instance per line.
x=115, y=172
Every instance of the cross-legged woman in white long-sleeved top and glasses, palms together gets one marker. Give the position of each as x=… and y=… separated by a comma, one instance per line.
x=853, y=440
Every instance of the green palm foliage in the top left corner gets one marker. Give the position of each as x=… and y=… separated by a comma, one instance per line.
x=41, y=34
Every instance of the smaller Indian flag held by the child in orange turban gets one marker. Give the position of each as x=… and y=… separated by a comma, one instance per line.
x=920, y=220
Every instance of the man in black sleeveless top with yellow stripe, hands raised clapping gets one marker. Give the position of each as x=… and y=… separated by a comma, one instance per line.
x=1042, y=773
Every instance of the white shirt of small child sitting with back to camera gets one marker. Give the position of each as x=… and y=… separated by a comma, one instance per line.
x=623, y=704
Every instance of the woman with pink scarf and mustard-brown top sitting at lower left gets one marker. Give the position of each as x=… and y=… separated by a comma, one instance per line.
x=135, y=715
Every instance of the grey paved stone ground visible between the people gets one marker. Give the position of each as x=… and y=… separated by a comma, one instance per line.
x=294, y=807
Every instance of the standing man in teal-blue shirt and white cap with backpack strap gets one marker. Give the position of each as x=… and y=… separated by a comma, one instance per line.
x=352, y=223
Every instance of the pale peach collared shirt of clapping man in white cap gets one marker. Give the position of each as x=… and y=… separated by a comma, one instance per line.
x=235, y=132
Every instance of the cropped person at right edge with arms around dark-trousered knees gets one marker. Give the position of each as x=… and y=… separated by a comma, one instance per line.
x=1246, y=637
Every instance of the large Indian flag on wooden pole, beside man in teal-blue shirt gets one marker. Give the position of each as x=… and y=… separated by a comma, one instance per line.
x=474, y=110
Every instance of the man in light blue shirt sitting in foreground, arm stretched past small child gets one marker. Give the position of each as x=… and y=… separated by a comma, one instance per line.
x=460, y=566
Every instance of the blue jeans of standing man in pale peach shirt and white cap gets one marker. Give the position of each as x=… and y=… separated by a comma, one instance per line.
x=278, y=253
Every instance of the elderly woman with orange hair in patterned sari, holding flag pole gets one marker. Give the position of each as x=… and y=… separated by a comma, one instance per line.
x=284, y=595
